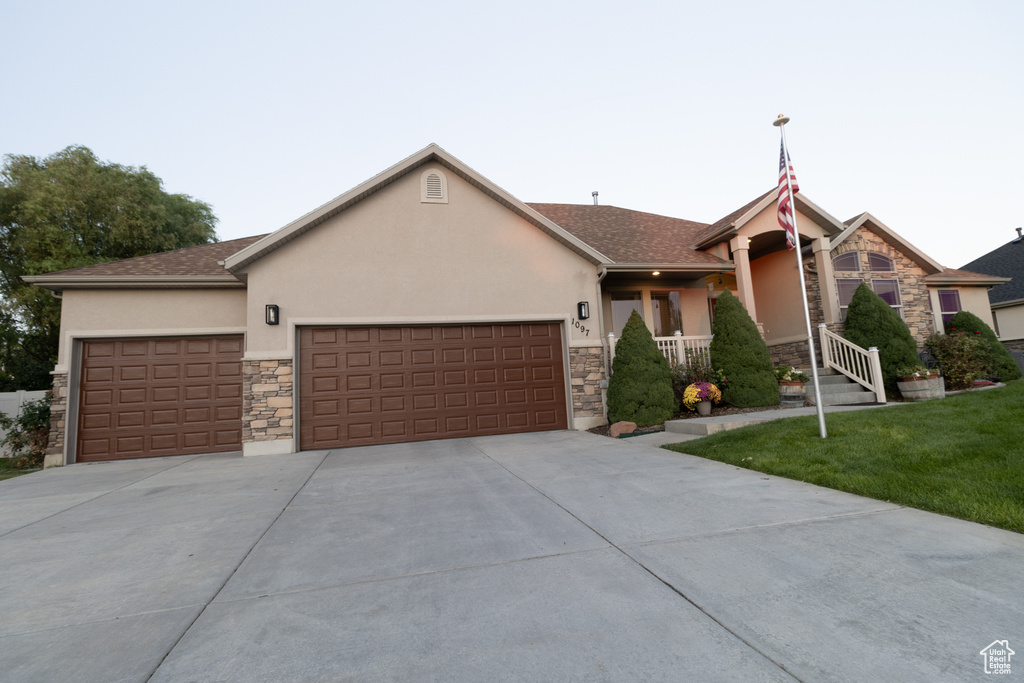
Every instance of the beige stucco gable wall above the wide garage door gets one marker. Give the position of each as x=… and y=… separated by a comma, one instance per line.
x=392, y=259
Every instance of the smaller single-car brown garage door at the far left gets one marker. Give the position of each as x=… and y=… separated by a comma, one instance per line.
x=164, y=397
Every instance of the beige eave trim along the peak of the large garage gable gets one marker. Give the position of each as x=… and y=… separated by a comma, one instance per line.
x=432, y=153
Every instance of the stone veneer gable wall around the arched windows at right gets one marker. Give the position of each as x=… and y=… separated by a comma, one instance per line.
x=913, y=290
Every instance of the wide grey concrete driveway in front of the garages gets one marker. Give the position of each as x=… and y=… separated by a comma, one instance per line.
x=561, y=557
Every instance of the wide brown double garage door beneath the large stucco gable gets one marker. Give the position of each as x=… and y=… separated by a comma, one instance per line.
x=386, y=386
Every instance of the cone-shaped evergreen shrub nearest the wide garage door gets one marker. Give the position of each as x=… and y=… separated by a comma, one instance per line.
x=641, y=389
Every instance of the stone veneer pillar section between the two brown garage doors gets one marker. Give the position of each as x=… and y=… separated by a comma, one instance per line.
x=268, y=391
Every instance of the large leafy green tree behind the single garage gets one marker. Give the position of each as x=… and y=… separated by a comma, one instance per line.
x=70, y=210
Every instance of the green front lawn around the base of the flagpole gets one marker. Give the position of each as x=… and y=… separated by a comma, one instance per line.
x=962, y=456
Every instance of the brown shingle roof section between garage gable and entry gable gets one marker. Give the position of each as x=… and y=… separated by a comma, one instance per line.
x=630, y=237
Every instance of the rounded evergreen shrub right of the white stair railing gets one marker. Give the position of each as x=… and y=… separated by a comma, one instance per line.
x=871, y=322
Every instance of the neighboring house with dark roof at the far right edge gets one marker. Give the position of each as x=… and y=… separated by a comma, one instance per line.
x=1008, y=300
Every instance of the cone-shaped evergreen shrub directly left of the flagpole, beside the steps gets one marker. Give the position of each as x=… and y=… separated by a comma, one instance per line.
x=740, y=354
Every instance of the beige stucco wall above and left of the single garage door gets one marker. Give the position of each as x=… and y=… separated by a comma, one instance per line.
x=149, y=313
